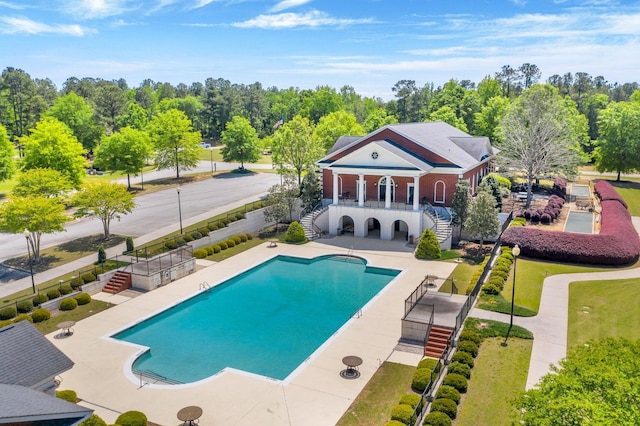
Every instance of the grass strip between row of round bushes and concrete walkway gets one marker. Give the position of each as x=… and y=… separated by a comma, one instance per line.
x=499, y=375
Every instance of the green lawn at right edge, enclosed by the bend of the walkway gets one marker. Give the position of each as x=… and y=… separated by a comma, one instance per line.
x=599, y=309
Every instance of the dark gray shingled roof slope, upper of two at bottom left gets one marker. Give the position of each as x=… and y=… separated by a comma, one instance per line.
x=27, y=357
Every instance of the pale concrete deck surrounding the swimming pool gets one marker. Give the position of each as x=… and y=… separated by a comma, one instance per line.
x=315, y=394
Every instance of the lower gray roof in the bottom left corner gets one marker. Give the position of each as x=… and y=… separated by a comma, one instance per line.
x=21, y=404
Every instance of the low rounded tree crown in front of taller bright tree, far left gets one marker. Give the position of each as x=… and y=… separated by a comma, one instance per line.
x=44, y=183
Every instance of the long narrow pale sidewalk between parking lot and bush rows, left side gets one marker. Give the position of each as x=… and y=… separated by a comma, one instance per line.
x=14, y=286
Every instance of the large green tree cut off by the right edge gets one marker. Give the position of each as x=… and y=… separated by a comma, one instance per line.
x=619, y=143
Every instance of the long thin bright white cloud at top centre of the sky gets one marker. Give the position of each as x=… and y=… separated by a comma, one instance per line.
x=291, y=20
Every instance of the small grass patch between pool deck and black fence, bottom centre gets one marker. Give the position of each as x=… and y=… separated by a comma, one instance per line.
x=373, y=405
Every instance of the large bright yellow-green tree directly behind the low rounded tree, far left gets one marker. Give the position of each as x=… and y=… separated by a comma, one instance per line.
x=52, y=145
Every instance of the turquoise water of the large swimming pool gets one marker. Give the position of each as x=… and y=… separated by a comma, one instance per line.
x=266, y=321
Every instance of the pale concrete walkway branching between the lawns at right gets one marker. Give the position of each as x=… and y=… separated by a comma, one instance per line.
x=550, y=326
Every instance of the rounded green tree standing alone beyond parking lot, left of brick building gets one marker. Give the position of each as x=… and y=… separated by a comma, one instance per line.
x=240, y=142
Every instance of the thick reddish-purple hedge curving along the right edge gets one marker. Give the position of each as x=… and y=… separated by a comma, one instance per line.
x=616, y=244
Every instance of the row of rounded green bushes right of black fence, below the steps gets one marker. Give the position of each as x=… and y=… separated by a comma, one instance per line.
x=445, y=406
